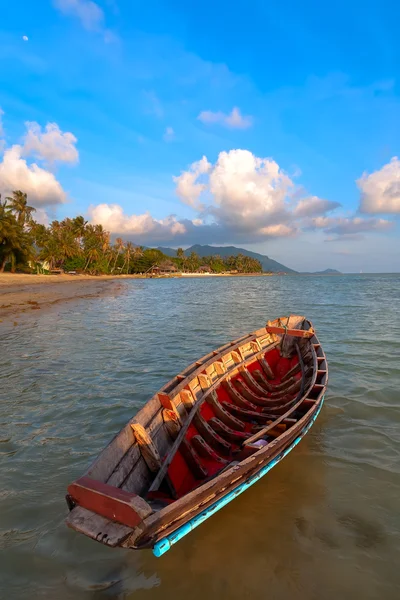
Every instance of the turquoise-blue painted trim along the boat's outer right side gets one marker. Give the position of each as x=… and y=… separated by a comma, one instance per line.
x=163, y=545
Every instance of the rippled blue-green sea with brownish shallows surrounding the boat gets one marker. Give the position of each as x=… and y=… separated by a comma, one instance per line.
x=324, y=524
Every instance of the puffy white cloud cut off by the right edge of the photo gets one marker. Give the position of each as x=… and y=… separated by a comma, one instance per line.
x=380, y=191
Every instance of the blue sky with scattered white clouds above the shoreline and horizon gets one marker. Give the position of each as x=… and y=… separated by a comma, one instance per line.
x=290, y=104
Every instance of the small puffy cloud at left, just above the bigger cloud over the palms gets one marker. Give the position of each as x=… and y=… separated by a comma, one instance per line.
x=50, y=145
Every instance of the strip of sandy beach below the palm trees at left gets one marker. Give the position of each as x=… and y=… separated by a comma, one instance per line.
x=23, y=293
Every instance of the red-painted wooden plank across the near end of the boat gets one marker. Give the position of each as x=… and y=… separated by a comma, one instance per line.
x=109, y=502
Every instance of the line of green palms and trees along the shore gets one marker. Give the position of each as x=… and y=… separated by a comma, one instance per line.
x=76, y=245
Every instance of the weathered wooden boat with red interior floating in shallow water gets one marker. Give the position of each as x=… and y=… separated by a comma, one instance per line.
x=203, y=439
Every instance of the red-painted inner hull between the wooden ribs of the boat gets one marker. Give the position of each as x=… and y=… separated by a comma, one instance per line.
x=180, y=475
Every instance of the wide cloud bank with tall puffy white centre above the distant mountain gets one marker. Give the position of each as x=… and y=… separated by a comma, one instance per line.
x=241, y=198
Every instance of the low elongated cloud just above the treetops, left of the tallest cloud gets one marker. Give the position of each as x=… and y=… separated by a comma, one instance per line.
x=112, y=217
